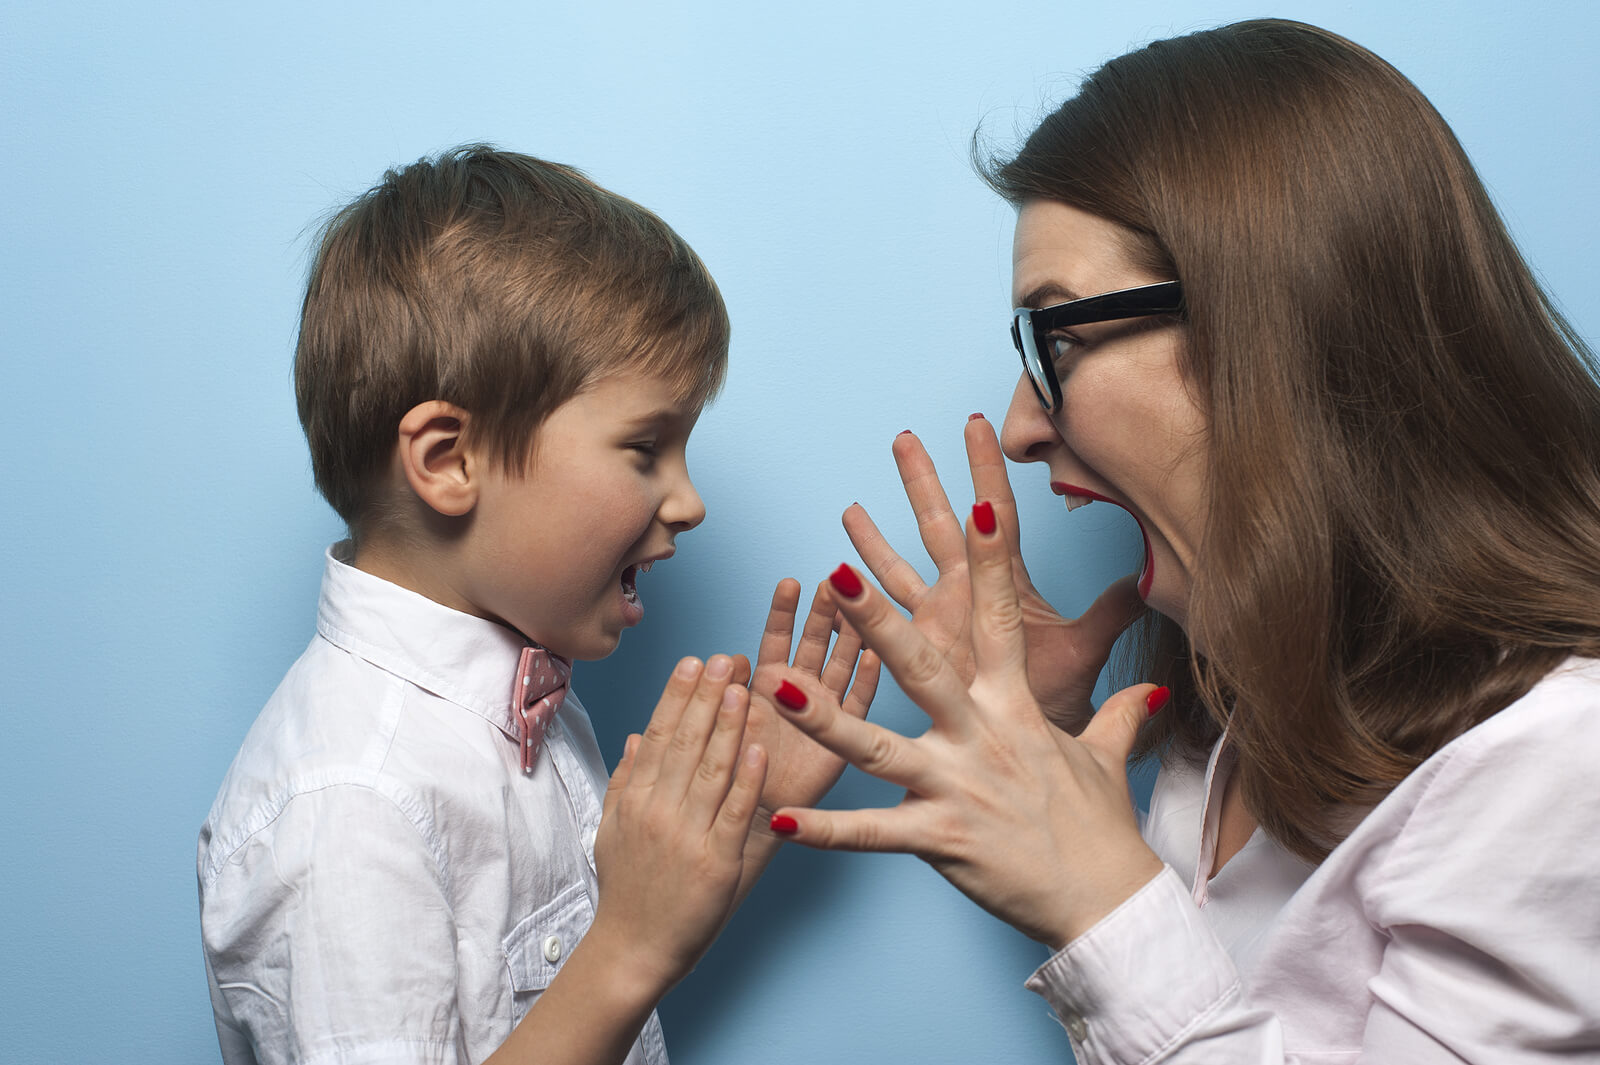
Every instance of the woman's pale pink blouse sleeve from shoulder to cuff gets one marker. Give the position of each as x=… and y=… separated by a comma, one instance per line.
x=1484, y=893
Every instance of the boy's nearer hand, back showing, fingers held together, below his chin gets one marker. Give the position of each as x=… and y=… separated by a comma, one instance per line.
x=676, y=823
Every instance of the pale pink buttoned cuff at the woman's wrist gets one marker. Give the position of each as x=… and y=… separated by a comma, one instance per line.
x=1143, y=979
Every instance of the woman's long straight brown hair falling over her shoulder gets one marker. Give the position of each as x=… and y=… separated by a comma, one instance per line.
x=1404, y=434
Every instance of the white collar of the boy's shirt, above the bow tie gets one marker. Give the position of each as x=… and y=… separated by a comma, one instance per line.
x=468, y=661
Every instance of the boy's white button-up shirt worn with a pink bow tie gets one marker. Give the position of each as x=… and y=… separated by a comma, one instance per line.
x=380, y=884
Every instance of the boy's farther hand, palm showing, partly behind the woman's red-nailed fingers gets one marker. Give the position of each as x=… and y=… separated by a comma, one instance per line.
x=801, y=772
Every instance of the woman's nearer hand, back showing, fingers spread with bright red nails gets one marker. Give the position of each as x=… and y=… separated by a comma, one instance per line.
x=1034, y=826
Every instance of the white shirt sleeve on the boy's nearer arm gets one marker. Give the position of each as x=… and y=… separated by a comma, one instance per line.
x=332, y=939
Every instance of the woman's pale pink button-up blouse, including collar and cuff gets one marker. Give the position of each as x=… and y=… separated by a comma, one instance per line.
x=1458, y=923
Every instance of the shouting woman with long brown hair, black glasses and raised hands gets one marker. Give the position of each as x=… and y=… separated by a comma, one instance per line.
x=1266, y=306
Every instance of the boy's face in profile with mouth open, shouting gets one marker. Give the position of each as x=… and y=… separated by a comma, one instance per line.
x=556, y=552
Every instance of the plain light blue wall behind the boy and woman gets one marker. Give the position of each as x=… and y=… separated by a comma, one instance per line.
x=162, y=540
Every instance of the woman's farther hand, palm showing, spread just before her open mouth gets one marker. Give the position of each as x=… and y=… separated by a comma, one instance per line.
x=1065, y=656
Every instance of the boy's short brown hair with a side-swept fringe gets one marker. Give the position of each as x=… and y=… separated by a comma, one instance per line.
x=500, y=284
